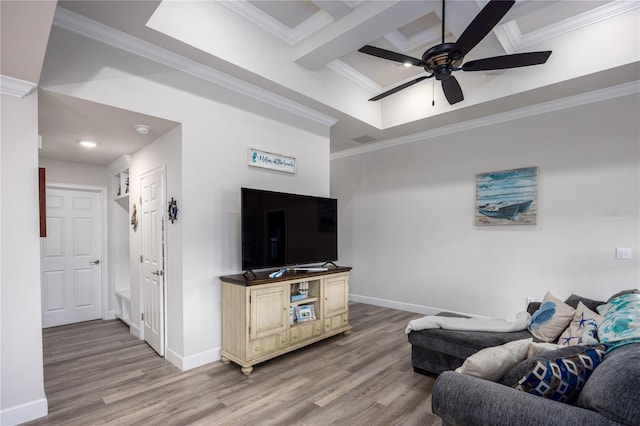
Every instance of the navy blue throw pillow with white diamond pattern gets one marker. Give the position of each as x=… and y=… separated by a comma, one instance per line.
x=561, y=379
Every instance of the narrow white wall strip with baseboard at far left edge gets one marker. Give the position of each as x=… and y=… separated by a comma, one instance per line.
x=22, y=396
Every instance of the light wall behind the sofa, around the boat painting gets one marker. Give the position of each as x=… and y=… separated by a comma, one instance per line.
x=406, y=214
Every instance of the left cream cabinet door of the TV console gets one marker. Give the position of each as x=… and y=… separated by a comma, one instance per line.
x=269, y=311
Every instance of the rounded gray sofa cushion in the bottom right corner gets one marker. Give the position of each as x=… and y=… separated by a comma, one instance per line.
x=612, y=389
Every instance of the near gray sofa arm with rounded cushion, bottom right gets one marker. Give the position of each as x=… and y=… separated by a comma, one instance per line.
x=610, y=397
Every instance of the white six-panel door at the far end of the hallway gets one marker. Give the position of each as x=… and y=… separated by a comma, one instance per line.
x=70, y=258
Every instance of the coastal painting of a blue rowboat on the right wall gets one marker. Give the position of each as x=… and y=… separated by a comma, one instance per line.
x=507, y=197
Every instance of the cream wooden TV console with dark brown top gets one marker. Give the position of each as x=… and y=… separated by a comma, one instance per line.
x=257, y=324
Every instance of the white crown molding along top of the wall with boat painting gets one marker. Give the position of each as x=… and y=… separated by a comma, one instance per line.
x=530, y=111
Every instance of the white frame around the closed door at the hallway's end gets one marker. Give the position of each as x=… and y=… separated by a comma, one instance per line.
x=104, y=247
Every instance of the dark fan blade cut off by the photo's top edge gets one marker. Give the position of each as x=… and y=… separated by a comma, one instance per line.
x=481, y=25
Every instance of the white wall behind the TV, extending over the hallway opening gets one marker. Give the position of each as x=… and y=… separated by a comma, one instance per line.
x=215, y=138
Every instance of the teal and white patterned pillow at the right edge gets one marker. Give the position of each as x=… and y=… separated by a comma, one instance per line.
x=621, y=323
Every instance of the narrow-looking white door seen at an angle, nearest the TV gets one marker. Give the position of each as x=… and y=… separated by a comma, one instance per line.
x=152, y=234
